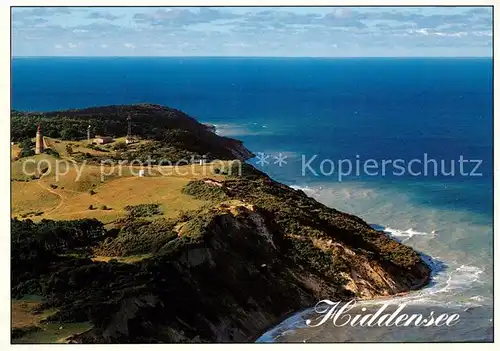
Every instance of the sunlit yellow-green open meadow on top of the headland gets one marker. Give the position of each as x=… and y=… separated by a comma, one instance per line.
x=69, y=193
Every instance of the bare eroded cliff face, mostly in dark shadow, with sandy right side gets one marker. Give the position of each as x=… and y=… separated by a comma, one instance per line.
x=242, y=274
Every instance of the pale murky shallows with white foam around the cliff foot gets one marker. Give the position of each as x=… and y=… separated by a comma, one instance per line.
x=455, y=281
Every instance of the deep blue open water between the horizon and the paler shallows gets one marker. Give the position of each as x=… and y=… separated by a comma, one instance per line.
x=381, y=109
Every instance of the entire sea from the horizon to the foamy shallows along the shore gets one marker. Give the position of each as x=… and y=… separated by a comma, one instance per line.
x=433, y=117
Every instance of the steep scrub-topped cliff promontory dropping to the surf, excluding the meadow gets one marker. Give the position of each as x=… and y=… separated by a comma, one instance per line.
x=241, y=266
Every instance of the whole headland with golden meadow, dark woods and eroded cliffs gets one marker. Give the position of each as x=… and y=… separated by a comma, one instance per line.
x=114, y=257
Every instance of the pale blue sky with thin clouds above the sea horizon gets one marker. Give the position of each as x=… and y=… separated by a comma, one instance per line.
x=252, y=31
